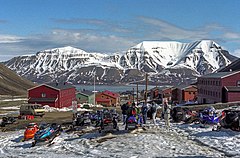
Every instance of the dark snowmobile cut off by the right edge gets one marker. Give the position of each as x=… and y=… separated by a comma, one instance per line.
x=230, y=119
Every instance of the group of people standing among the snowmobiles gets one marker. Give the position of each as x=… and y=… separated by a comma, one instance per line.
x=129, y=109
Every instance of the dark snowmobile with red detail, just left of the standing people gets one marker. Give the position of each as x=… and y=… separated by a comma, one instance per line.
x=107, y=122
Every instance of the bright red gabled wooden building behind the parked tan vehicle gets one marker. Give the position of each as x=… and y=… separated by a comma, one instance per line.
x=55, y=95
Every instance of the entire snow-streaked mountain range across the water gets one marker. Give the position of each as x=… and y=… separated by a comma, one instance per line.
x=166, y=62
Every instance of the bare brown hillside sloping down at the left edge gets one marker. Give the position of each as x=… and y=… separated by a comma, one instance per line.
x=11, y=83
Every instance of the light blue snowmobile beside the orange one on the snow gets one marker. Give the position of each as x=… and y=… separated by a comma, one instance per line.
x=46, y=134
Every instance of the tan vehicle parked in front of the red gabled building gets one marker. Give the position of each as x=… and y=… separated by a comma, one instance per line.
x=32, y=109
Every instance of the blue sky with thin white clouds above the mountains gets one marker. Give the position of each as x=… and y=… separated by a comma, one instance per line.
x=109, y=26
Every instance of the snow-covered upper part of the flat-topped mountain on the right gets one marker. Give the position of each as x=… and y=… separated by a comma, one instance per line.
x=202, y=56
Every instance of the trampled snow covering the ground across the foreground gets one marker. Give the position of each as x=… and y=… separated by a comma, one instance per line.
x=182, y=140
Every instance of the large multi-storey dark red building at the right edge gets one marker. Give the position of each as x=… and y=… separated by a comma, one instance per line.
x=219, y=87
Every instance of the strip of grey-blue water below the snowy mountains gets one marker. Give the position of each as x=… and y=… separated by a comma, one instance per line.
x=113, y=88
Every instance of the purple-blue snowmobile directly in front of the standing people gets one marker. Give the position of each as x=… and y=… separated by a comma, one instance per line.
x=133, y=122
